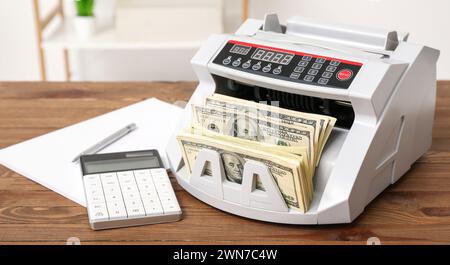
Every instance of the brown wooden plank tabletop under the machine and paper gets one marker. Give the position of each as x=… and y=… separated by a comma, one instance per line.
x=414, y=210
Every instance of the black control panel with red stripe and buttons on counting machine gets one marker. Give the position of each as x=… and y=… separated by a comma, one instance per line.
x=294, y=66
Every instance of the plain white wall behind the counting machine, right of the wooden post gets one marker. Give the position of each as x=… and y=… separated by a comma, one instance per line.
x=427, y=21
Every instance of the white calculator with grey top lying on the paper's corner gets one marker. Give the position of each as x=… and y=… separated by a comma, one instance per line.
x=128, y=189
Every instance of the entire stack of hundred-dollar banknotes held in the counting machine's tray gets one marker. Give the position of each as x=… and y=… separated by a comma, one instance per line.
x=288, y=142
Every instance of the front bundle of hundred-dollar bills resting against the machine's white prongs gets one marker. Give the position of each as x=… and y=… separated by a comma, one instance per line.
x=285, y=168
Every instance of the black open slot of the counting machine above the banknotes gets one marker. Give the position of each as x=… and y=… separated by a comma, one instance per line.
x=341, y=110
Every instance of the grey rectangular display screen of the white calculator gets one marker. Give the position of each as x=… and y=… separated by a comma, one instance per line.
x=121, y=164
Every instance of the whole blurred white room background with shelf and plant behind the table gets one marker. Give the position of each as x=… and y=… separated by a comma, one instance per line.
x=154, y=40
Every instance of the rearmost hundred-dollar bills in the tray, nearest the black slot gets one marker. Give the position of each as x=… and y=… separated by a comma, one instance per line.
x=322, y=124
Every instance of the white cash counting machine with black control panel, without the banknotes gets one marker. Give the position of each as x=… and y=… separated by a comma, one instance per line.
x=380, y=87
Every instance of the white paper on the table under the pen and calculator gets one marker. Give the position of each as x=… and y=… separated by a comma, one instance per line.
x=47, y=159
